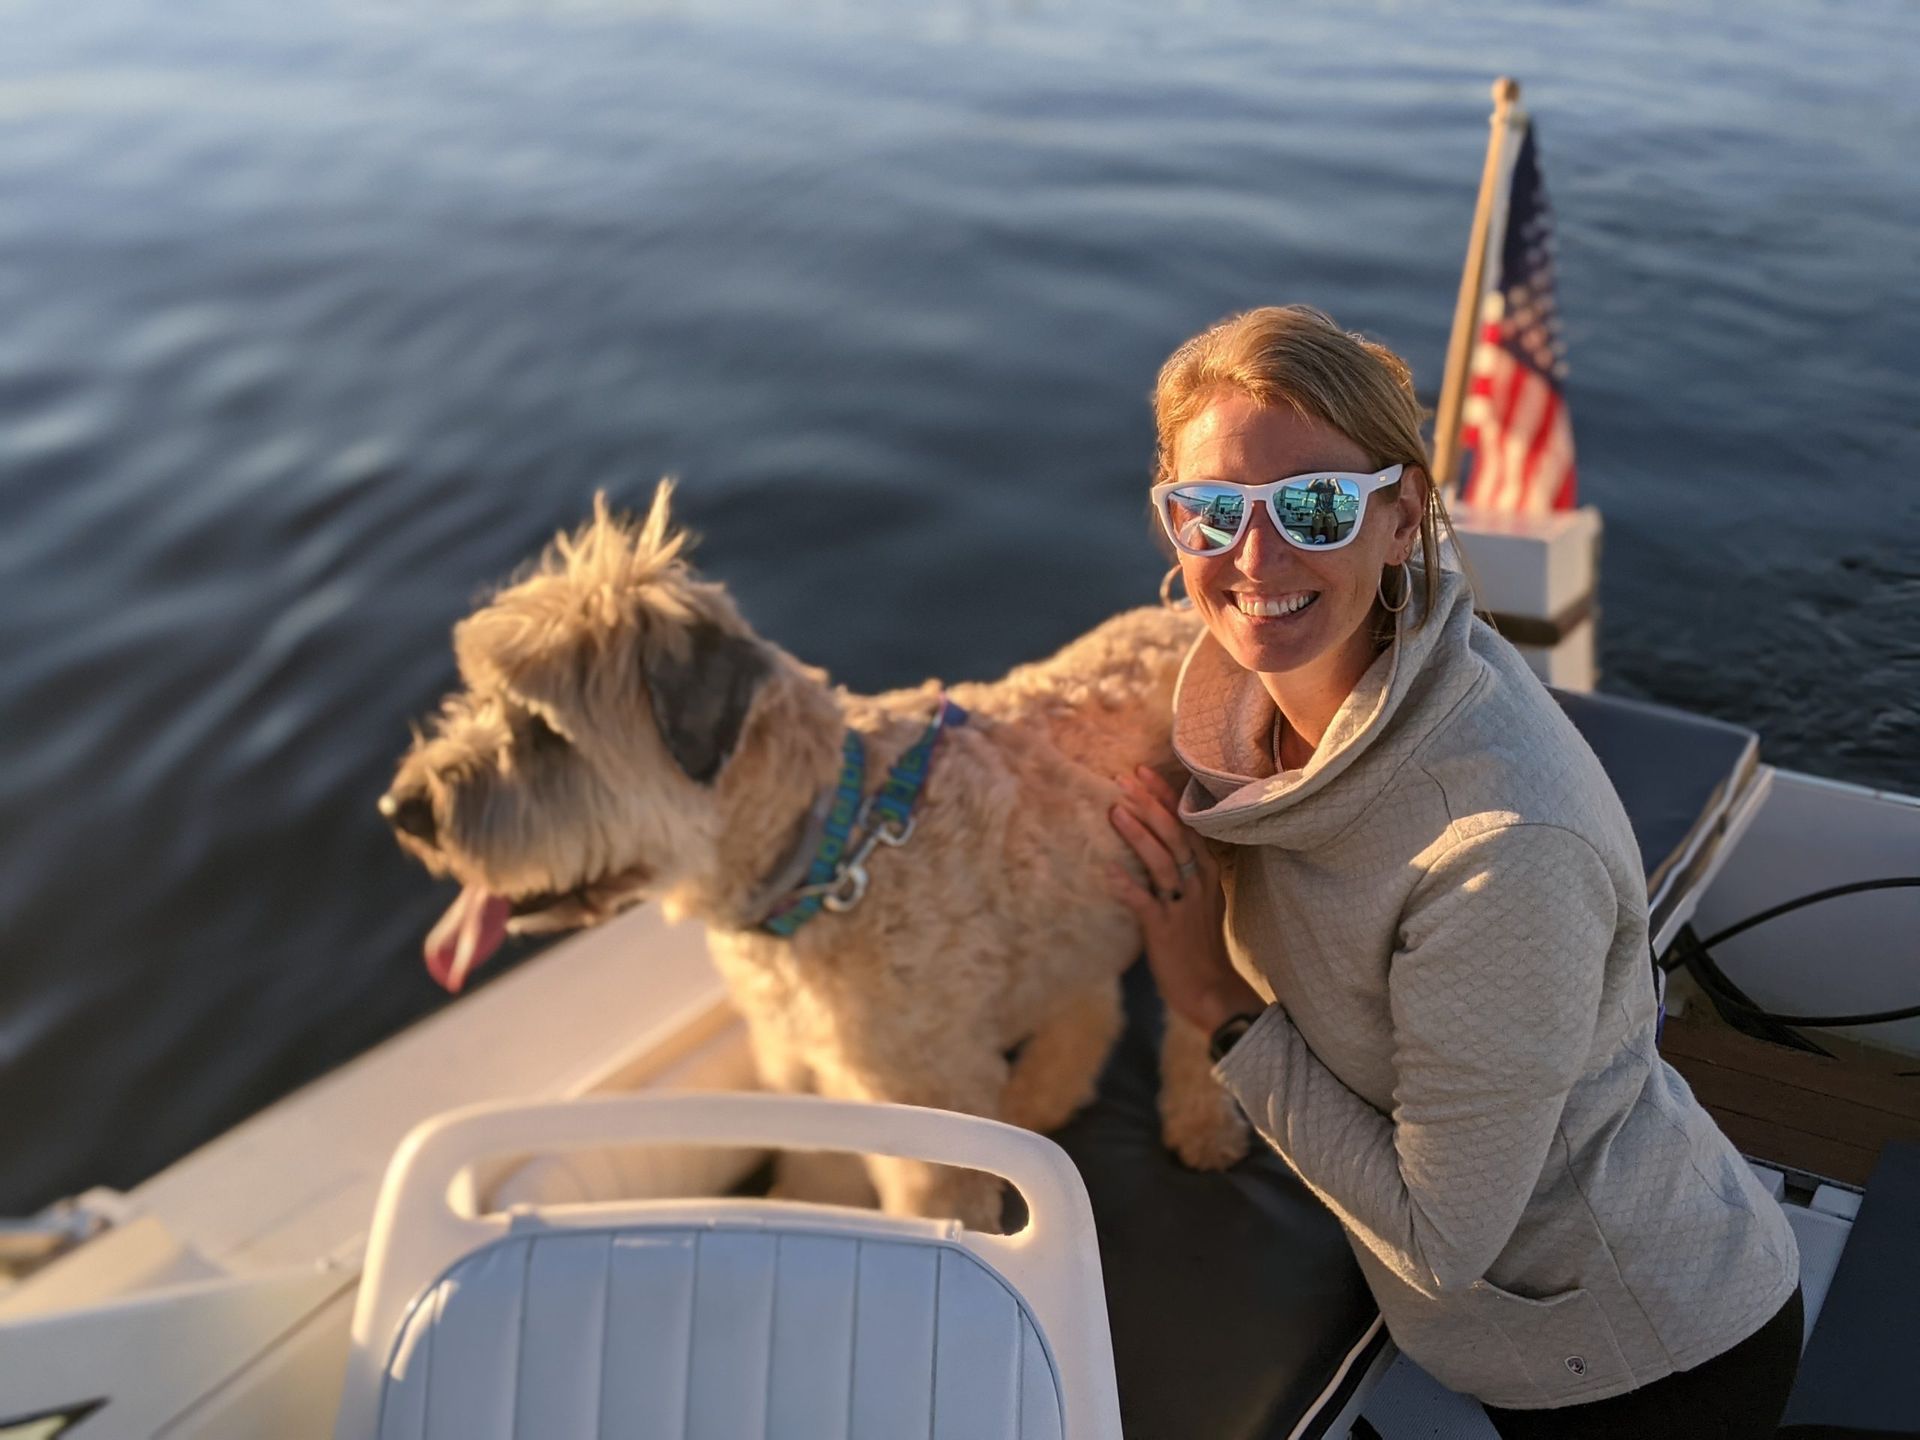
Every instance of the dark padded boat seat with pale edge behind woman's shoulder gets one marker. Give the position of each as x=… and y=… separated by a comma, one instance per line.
x=1681, y=779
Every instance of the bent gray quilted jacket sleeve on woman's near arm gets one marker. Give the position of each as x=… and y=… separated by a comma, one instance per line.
x=1495, y=997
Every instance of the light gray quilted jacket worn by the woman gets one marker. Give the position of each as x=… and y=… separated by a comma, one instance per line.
x=1449, y=911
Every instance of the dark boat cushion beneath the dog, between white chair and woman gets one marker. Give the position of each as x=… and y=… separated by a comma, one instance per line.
x=1234, y=1299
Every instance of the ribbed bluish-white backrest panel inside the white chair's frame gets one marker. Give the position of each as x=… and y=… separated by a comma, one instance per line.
x=698, y=1333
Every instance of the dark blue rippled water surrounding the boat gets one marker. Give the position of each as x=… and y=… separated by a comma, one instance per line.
x=318, y=320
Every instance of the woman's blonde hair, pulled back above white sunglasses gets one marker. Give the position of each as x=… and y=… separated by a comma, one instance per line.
x=1297, y=356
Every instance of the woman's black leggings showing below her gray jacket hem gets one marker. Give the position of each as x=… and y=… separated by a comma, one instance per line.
x=1739, y=1395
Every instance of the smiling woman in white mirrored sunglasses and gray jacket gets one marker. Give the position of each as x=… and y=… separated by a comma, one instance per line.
x=1426, y=967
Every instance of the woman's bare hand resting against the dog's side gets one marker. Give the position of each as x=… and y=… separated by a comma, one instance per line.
x=1184, y=915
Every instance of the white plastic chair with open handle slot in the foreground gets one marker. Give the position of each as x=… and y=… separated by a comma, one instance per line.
x=727, y=1318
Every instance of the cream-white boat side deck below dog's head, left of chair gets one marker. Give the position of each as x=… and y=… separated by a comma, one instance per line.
x=636, y=1001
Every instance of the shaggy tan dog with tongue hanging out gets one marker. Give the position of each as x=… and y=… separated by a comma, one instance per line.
x=627, y=736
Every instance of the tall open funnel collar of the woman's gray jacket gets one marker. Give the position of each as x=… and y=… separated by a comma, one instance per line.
x=1224, y=721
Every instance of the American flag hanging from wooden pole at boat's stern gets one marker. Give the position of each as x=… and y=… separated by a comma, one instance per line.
x=1516, y=418
